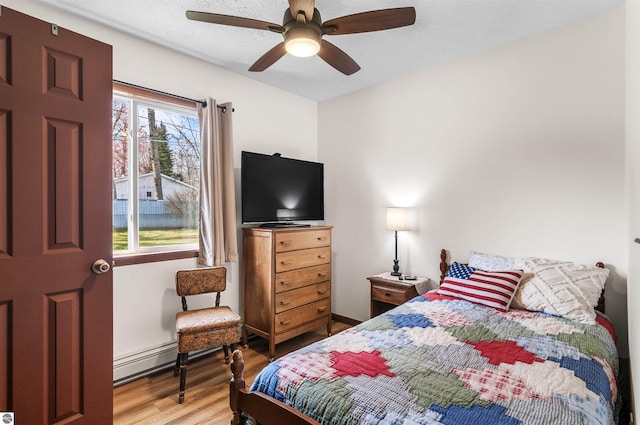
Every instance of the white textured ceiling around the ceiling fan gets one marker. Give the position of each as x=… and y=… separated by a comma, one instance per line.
x=444, y=30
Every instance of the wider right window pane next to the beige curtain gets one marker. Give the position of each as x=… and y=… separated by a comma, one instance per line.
x=168, y=177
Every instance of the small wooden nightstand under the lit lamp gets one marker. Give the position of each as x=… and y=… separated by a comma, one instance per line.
x=388, y=291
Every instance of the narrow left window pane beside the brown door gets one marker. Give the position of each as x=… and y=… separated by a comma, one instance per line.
x=120, y=166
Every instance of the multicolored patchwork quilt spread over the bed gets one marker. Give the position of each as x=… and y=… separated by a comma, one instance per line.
x=438, y=360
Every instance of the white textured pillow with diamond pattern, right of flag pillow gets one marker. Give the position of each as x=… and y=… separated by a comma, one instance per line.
x=560, y=288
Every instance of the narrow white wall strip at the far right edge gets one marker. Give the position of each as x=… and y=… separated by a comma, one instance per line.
x=633, y=181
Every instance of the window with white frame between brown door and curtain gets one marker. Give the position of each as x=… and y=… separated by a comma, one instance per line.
x=156, y=173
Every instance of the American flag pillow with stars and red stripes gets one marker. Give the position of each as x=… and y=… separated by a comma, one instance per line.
x=493, y=289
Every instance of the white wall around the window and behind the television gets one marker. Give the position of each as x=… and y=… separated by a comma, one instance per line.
x=144, y=307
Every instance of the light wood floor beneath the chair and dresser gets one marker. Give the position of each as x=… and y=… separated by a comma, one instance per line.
x=154, y=399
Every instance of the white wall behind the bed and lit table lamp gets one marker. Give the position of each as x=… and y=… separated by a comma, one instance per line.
x=518, y=151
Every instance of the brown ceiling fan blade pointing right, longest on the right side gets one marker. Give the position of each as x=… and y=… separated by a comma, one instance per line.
x=374, y=20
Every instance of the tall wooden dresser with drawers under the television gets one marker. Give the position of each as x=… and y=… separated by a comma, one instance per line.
x=286, y=282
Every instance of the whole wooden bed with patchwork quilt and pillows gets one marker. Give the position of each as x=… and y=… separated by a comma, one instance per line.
x=441, y=358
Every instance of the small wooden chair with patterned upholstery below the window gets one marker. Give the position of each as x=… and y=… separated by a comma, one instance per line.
x=207, y=327
